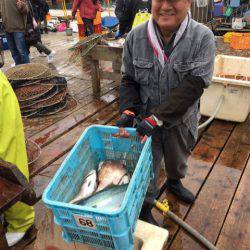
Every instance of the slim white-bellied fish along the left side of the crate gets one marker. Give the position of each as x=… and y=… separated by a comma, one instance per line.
x=88, y=187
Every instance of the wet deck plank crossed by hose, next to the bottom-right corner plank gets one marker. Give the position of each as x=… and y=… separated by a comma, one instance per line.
x=209, y=211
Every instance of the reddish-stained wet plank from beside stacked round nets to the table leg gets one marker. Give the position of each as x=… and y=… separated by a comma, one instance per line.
x=64, y=125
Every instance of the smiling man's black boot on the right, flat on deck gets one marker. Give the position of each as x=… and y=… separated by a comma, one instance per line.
x=176, y=187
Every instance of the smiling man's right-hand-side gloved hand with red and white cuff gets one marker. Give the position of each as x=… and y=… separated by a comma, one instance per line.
x=147, y=127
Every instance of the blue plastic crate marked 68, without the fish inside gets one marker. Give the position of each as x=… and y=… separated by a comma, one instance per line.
x=100, y=228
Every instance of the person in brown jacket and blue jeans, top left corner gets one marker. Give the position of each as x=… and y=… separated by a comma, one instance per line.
x=14, y=16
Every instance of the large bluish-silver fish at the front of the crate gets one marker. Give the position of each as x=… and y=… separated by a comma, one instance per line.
x=109, y=199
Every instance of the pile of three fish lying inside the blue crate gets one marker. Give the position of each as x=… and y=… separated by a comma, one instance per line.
x=105, y=187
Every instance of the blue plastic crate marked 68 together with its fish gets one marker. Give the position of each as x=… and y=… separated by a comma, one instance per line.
x=97, y=194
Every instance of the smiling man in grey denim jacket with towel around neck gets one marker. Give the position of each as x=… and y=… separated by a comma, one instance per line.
x=167, y=62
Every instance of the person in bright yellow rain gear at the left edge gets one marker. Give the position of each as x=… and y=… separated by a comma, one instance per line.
x=20, y=217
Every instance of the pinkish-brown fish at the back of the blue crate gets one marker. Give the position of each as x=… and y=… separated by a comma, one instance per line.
x=112, y=173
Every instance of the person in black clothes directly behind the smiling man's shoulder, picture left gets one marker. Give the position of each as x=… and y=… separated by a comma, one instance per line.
x=126, y=11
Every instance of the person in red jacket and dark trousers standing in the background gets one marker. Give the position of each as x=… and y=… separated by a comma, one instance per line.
x=88, y=10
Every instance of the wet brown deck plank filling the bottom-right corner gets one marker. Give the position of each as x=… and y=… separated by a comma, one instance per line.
x=235, y=233
